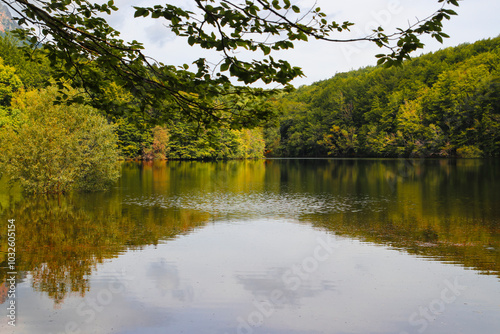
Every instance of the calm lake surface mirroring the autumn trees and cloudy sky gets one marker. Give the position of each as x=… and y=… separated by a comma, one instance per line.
x=267, y=246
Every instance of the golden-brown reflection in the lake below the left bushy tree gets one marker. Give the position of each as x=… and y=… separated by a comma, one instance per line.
x=60, y=240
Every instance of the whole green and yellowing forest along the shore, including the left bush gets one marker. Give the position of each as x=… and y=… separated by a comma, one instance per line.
x=442, y=104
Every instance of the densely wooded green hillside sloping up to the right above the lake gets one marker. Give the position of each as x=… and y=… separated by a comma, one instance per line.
x=442, y=104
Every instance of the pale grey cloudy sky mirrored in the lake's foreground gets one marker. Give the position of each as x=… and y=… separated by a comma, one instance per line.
x=292, y=279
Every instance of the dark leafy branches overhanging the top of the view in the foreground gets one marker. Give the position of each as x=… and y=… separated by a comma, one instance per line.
x=87, y=51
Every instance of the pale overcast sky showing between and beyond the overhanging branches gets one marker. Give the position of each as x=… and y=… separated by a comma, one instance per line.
x=477, y=19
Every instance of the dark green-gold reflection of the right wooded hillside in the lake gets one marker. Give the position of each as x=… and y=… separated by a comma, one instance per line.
x=444, y=209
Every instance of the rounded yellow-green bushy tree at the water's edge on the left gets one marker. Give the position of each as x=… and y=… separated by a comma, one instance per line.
x=57, y=148
